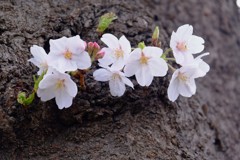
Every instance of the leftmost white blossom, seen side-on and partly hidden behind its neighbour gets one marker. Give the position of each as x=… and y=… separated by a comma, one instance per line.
x=40, y=58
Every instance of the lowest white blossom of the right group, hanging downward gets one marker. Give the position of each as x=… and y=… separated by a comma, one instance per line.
x=182, y=83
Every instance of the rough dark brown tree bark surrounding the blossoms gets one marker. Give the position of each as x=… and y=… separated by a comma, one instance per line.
x=142, y=124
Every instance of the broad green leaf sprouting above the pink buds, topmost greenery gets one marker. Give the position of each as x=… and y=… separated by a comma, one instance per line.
x=105, y=21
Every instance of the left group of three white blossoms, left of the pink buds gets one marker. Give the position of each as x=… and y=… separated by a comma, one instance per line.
x=66, y=54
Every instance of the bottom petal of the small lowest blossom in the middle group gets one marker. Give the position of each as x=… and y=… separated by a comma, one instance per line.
x=117, y=88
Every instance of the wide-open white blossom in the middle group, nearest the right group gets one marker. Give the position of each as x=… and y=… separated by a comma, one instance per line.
x=146, y=64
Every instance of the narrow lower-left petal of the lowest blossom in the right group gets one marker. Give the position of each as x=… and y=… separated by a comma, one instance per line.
x=172, y=91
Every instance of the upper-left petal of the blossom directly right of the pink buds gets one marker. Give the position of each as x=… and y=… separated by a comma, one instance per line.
x=110, y=40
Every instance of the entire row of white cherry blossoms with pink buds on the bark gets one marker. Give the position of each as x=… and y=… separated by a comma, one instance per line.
x=118, y=62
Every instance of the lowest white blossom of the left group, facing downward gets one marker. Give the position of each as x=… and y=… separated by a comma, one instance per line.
x=59, y=86
